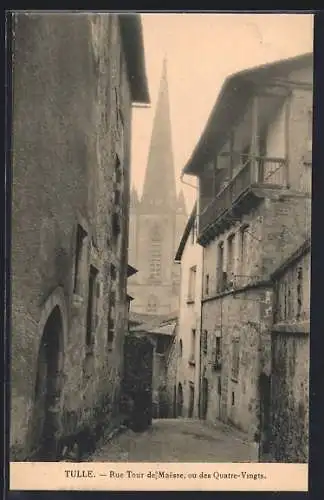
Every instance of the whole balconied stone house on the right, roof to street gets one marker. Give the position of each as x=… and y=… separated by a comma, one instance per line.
x=253, y=162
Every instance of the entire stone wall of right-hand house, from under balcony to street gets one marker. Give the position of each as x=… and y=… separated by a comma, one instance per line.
x=276, y=226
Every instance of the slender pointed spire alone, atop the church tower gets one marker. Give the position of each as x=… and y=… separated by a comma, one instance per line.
x=159, y=188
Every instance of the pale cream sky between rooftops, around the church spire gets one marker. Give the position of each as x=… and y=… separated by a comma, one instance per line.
x=201, y=51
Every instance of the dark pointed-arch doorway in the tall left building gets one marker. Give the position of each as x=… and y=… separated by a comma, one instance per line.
x=46, y=413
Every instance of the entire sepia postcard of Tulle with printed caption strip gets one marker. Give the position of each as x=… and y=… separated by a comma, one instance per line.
x=161, y=215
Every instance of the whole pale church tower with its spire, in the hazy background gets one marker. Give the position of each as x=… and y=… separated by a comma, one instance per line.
x=157, y=221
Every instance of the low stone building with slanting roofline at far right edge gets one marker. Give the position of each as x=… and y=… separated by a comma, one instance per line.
x=289, y=405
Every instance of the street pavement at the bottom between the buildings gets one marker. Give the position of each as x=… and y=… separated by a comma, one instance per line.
x=178, y=440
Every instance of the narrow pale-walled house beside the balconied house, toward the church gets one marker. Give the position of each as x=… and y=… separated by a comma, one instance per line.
x=189, y=255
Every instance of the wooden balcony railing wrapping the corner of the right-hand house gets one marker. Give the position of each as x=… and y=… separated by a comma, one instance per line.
x=256, y=172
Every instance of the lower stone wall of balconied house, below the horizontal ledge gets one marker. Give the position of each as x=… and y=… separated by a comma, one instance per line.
x=245, y=317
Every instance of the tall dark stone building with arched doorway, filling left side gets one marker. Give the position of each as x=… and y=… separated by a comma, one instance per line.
x=75, y=78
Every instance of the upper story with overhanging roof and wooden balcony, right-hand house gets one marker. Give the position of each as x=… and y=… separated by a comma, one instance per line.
x=258, y=138
